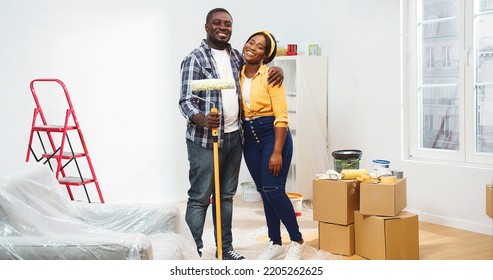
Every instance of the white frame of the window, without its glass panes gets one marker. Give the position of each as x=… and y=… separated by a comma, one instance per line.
x=413, y=64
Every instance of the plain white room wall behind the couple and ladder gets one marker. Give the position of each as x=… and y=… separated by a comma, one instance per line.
x=120, y=61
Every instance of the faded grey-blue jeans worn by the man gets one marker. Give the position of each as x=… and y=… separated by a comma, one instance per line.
x=201, y=176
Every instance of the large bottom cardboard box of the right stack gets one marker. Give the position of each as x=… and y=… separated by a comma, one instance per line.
x=387, y=238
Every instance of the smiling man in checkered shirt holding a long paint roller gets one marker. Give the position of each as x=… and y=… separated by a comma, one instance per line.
x=214, y=59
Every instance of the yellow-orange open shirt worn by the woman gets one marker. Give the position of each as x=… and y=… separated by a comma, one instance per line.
x=265, y=100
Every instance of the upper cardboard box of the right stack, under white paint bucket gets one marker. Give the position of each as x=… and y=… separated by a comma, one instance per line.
x=383, y=199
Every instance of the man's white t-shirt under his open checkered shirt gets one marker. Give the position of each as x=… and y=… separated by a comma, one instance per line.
x=231, y=107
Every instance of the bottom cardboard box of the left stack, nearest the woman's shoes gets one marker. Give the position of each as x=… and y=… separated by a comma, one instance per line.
x=336, y=239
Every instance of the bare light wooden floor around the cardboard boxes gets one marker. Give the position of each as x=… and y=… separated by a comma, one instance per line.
x=438, y=242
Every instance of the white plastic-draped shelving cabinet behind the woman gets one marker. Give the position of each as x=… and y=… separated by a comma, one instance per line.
x=305, y=82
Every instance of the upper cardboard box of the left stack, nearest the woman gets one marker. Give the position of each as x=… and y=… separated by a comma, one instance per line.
x=335, y=201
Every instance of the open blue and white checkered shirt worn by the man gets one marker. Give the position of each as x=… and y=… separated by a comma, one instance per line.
x=198, y=65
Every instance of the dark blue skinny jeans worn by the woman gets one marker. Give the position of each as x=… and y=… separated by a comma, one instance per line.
x=259, y=144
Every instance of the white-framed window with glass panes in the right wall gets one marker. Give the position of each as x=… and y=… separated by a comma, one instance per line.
x=449, y=78
